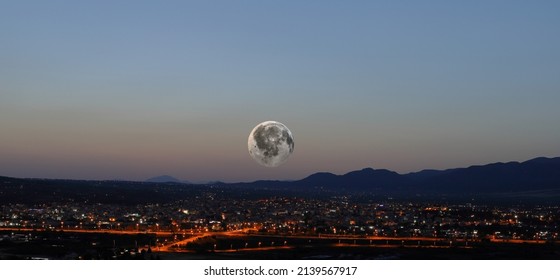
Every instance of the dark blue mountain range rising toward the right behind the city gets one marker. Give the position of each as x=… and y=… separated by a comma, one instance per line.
x=532, y=175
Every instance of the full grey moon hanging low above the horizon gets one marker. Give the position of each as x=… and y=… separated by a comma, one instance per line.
x=270, y=143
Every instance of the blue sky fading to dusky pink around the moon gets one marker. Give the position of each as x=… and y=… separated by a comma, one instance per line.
x=134, y=89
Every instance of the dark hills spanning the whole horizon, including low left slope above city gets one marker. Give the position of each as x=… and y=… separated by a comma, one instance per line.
x=538, y=177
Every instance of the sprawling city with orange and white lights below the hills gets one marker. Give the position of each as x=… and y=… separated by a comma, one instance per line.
x=222, y=222
